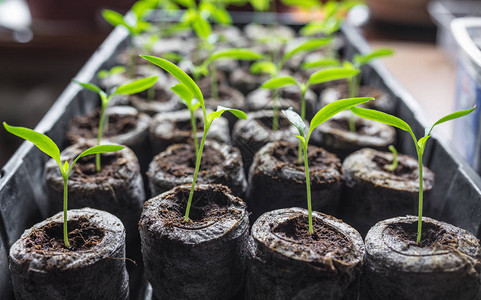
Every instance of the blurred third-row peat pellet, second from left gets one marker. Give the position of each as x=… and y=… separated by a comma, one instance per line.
x=175, y=128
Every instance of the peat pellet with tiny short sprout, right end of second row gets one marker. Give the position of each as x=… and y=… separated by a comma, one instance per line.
x=373, y=193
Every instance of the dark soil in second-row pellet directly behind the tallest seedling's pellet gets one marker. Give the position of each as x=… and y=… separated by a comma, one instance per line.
x=182, y=161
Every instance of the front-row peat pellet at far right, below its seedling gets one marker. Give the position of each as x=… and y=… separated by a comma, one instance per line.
x=446, y=264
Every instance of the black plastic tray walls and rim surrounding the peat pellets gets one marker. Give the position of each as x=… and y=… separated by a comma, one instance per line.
x=456, y=198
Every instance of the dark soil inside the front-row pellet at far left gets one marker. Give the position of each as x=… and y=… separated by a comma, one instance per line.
x=49, y=239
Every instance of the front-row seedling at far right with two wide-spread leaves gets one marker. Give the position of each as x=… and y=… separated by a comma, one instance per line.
x=419, y=144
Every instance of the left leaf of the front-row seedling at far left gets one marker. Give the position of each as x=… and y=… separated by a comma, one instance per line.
x=43, y=142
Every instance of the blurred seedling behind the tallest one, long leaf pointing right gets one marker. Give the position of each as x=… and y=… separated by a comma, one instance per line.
x=208, y=67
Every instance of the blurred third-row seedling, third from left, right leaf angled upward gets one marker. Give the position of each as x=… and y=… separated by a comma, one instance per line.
x=273, y=69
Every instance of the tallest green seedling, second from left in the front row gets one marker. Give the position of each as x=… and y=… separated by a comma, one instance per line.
x=187, y=81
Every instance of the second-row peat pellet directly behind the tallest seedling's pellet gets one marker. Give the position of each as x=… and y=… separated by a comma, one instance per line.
x=175, y=166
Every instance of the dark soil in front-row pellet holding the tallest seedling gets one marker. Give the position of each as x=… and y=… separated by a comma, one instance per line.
x=207, y=208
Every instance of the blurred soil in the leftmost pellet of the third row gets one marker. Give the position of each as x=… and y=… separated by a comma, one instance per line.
x=87, y=126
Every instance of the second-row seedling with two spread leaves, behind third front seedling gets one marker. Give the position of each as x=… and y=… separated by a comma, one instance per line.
x=316, y=78
